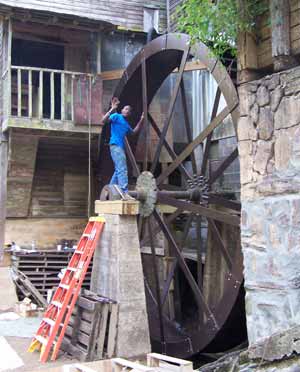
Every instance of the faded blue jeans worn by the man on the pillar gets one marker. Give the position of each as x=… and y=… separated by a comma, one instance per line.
x=120, y=176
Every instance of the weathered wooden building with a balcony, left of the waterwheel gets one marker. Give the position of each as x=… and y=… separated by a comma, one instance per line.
x=56, y=58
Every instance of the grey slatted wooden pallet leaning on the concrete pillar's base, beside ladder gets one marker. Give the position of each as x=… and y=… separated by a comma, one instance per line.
x=91, y=334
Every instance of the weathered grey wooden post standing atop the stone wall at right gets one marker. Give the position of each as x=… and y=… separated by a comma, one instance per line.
x=281, y=42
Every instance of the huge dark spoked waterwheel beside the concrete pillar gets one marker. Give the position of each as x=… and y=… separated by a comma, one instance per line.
x=189, y=302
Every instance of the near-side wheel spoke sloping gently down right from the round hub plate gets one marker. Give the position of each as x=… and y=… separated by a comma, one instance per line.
x=198, y=209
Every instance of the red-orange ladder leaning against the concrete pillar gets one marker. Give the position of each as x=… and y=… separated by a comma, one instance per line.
x=56, y=318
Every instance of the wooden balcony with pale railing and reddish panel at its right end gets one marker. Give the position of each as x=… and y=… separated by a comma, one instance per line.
x=51, y=100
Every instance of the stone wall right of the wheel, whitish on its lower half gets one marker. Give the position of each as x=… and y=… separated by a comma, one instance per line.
x=269, y=148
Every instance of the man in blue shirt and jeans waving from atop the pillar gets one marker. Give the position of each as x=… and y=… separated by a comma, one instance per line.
x=119, y=129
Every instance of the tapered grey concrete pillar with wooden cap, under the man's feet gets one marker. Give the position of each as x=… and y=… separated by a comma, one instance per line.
x=118, y=274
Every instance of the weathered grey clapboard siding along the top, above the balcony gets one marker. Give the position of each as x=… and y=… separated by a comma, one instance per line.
x=125, y=13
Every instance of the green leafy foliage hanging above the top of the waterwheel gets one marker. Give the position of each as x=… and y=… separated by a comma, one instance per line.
x=218, y=23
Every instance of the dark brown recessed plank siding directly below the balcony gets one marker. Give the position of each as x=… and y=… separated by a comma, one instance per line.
x=60, y=184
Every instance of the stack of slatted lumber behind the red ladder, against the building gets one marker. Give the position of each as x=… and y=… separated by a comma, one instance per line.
x=42, y=268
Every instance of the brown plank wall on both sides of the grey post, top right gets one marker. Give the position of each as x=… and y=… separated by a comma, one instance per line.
x=264, y=46
